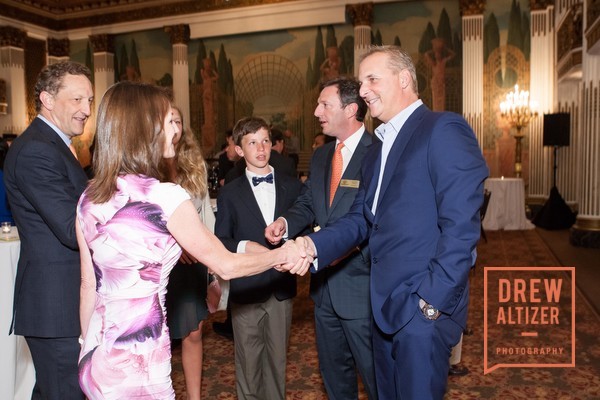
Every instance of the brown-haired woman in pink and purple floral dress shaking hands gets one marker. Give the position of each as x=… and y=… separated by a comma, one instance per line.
x=130, y=227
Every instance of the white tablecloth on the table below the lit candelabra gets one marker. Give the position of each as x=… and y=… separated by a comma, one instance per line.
x=506, y=209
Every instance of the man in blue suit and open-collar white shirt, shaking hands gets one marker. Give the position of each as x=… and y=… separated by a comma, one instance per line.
x=418, y=206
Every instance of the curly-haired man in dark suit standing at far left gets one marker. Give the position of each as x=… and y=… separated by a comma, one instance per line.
x=44, y=181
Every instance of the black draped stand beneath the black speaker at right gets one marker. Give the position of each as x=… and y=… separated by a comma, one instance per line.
x=555, y=214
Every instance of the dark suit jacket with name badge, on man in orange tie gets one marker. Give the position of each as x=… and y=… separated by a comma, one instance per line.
x=348, y=281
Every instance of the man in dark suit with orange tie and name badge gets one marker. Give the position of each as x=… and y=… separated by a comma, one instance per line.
x=343, y=318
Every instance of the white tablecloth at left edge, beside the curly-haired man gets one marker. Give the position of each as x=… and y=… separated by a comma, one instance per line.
x=17, y=374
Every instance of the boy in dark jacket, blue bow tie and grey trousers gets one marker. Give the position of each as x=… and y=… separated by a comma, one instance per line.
x=261, y=305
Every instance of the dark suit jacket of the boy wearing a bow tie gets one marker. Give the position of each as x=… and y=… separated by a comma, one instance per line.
x=239, y=218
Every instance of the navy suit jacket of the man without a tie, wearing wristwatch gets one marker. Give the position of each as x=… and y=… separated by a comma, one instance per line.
x=426, y=224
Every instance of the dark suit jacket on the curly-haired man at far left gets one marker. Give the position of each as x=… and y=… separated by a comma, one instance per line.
x=44, y=182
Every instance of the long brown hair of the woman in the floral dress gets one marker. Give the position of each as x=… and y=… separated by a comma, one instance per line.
x=130, y=135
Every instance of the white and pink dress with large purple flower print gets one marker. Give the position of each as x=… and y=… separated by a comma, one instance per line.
x=126, y=353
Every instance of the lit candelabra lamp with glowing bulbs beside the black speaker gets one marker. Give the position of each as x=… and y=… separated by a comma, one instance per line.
x=518, y=110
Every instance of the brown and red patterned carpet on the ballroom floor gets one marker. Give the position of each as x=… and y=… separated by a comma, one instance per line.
x=504, y=248
